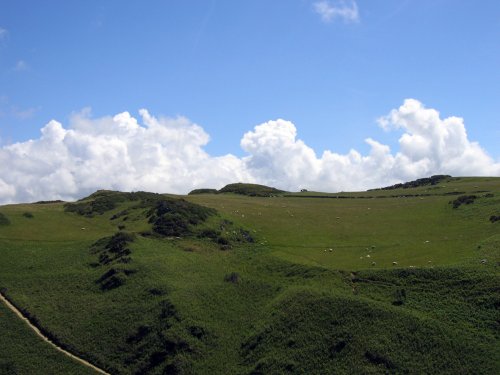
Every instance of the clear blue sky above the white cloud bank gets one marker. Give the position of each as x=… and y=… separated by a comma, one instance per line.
x=330, y=67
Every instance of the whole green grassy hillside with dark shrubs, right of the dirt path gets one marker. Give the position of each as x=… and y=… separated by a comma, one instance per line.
x=302, y=283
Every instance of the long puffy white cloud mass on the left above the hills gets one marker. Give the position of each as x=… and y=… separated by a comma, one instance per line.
x=163, y=154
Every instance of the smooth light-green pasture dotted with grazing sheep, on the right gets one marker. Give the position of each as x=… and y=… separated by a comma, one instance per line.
x=413, y=227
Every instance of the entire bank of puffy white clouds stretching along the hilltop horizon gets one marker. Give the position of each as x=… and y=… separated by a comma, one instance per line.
x=167, y=155
